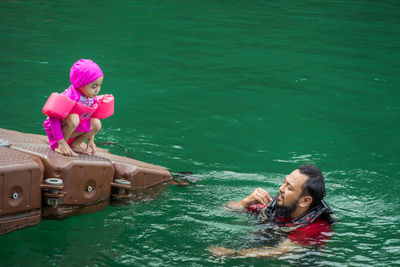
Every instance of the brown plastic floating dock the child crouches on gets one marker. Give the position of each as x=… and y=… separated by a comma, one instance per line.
x=36, y=182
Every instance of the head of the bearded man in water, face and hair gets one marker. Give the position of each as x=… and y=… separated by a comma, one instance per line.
x=301, y=190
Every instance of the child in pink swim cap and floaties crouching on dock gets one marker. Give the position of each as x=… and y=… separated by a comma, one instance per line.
x=74, y=116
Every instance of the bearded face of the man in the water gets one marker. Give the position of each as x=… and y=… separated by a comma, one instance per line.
x=290, y=193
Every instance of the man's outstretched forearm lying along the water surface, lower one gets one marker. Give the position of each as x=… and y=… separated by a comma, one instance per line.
x=285, y=247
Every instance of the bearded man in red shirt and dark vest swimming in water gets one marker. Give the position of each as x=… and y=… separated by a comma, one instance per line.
x=299, y=210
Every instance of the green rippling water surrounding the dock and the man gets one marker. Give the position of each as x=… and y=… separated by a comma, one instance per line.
x=238, y=92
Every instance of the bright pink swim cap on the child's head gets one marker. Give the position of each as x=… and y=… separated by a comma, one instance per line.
x=83, y=72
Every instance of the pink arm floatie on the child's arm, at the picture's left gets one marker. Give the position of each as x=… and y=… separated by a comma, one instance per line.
x=58, y=106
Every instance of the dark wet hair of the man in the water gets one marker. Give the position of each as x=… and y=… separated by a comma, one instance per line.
x=314, y=186
